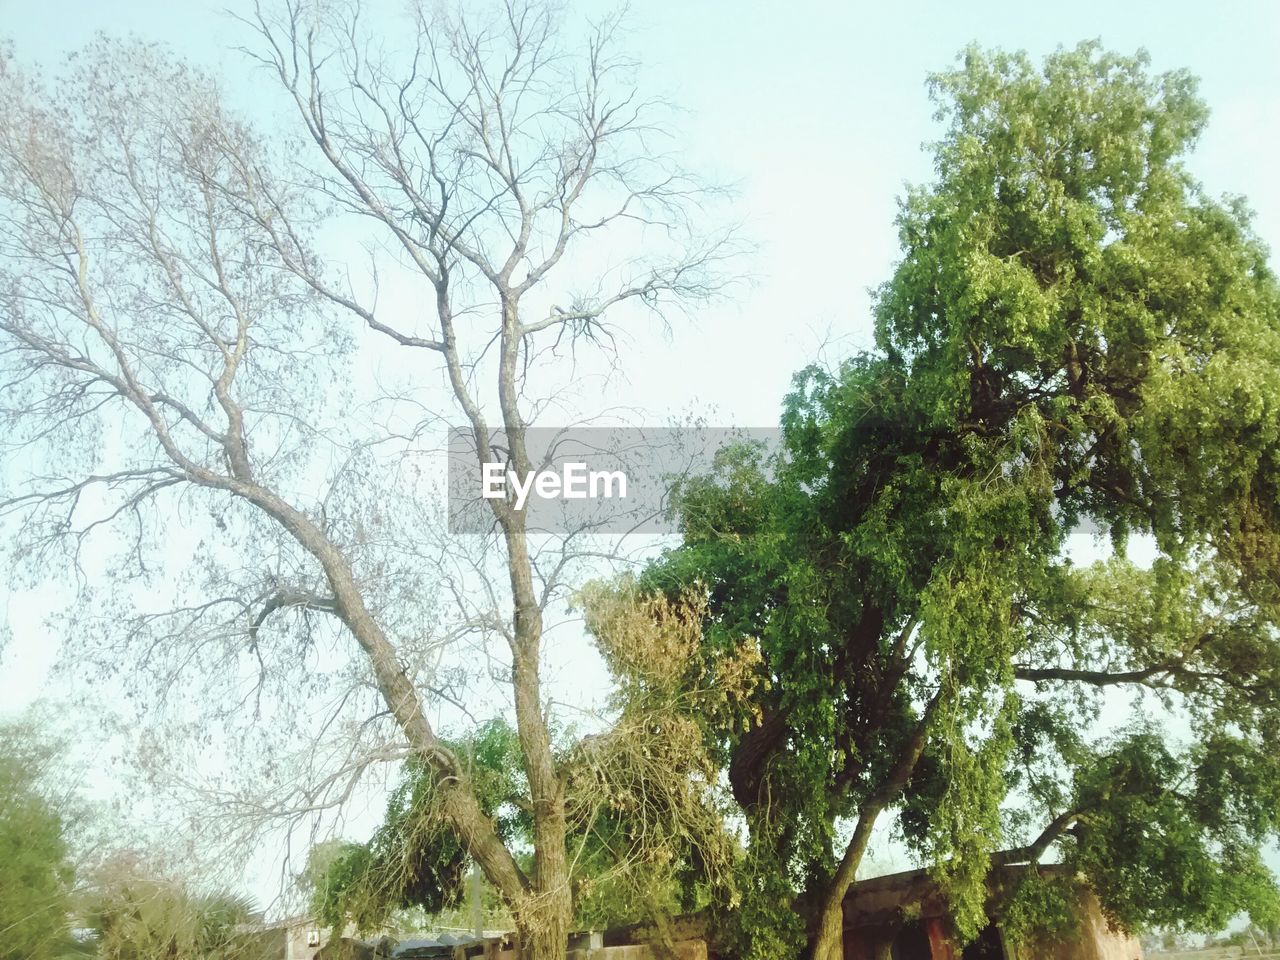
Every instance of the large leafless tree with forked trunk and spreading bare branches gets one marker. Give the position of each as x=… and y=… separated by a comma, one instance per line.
x=171, y=326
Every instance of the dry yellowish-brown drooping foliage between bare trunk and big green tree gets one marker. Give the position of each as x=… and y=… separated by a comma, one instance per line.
x=646, y=804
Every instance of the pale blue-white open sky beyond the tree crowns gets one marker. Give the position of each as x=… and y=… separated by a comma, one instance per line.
x=819, y=112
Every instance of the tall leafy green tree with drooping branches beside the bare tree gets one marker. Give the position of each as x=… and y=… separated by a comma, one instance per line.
x=1077, y=339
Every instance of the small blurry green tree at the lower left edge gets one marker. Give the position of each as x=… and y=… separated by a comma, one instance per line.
x=35, y=868
